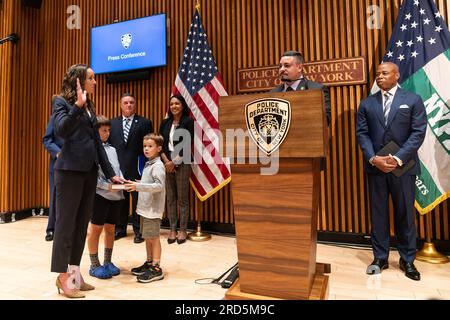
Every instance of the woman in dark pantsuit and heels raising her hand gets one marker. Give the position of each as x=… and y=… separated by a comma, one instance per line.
x=75, y=176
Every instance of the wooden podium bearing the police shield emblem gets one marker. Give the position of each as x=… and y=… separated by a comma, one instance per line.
x=276, y=215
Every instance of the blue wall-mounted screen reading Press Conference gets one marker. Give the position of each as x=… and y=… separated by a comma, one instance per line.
x=129, y=45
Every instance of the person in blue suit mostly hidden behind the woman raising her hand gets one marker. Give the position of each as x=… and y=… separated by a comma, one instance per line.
x=53, y=144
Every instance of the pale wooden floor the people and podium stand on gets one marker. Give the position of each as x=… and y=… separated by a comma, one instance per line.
x=25, y=270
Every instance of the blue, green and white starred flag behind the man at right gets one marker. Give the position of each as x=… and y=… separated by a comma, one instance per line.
x=420, y=46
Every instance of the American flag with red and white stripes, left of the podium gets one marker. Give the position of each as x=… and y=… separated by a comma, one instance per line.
x=201, y=85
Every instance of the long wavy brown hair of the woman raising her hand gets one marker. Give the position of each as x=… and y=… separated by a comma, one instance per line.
x=69, y=85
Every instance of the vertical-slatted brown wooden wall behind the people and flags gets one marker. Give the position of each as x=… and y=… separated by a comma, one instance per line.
x=242, y=34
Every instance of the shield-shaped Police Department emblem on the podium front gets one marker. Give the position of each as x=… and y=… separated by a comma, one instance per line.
x=268, y=121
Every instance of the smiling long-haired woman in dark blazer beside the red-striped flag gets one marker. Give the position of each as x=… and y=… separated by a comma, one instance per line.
x=178, y=132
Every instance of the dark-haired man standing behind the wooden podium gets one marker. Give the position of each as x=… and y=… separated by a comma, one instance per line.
x=291, y=73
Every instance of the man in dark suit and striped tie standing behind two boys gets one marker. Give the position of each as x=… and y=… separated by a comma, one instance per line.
x=127, y=136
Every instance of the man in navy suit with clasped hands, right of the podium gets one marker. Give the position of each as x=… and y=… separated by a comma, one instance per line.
x=396, y=115
